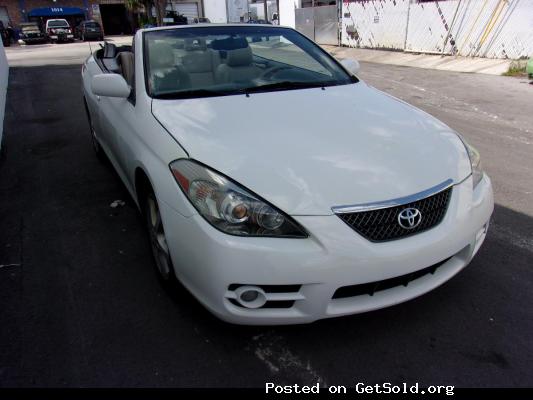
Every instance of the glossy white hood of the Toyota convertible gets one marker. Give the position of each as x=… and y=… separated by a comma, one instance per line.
x=308, y=150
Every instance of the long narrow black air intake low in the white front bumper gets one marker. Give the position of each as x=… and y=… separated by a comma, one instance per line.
x=373, y=287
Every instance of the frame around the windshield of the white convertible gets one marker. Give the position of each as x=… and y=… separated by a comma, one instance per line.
x=257, y=28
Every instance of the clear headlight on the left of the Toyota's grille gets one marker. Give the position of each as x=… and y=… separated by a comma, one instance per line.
x=228, y=206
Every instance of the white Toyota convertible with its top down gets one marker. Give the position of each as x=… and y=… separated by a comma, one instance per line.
x=277, y=186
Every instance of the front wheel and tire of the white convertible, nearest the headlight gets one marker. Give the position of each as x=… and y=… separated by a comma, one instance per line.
x=158, y=241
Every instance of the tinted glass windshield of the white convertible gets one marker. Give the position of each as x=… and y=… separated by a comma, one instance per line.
x=219, y=61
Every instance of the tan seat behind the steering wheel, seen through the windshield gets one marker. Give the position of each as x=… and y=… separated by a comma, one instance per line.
x=239, y=67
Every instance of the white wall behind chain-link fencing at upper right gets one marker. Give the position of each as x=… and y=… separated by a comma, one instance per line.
x=483, y=28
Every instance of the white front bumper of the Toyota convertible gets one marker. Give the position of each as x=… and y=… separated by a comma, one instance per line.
x=212, y=264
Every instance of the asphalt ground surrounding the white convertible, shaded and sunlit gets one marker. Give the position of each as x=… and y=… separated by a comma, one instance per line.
x=81, y=304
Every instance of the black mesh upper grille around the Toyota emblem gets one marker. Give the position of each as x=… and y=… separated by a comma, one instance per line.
x=382, y=225
